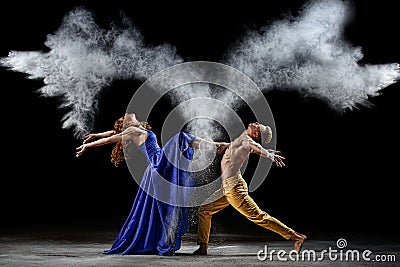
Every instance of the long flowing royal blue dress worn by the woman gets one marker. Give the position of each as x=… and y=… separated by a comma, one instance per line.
x=154, y=226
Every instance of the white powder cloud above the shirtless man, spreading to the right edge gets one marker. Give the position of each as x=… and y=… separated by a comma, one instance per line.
x=310, y=54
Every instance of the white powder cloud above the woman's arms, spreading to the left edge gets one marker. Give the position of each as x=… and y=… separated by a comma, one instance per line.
x=83, y=59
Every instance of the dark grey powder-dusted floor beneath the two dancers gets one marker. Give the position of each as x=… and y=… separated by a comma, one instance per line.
x=72, y=246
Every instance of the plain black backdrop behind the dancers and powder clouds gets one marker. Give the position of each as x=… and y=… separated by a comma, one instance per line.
x=341, y=174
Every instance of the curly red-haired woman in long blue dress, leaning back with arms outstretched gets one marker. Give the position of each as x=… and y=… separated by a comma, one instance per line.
x=153, y=226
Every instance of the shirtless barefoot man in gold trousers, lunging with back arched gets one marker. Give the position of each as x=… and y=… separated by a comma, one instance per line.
x=235, y=191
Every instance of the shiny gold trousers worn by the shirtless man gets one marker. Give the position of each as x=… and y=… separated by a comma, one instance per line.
x=236, y=193
